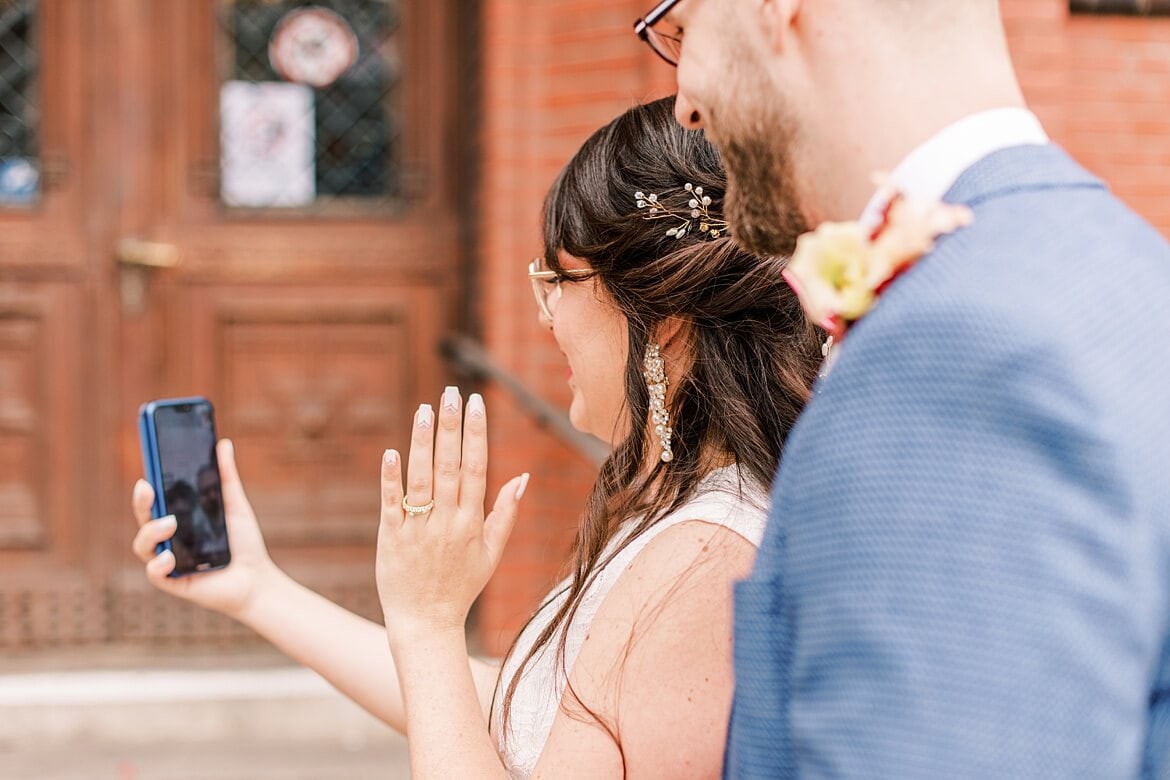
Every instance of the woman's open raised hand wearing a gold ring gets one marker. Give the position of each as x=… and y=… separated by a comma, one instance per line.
x=436, y=548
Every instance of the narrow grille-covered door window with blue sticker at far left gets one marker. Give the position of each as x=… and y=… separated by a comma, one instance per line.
x=19, y=113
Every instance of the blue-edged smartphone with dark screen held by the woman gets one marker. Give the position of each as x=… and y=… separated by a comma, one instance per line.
x=178, y=440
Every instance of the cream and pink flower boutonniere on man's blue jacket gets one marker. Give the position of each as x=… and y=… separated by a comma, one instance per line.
x=841, y=270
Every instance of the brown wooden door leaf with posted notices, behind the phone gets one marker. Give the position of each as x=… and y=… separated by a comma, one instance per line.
x=299, y=170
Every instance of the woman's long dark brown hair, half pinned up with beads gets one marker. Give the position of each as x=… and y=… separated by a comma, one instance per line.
x=753, y=354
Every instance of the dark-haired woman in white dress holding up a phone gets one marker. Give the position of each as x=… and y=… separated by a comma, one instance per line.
x=693, y=360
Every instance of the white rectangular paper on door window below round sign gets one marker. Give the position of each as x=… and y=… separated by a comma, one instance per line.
x=267, y=144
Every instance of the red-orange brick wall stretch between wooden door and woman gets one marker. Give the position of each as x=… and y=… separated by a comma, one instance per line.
x=554, y=73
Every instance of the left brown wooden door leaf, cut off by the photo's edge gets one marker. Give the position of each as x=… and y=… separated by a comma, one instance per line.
x=49, y=536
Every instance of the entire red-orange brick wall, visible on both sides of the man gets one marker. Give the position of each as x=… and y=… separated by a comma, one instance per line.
x=555, y=71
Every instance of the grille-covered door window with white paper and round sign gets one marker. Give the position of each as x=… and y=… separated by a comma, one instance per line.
x=308, y=105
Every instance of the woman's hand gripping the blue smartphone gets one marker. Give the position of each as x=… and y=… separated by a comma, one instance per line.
x=229, y=591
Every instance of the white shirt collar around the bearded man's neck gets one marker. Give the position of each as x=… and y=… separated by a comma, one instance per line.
x=932, y=169
